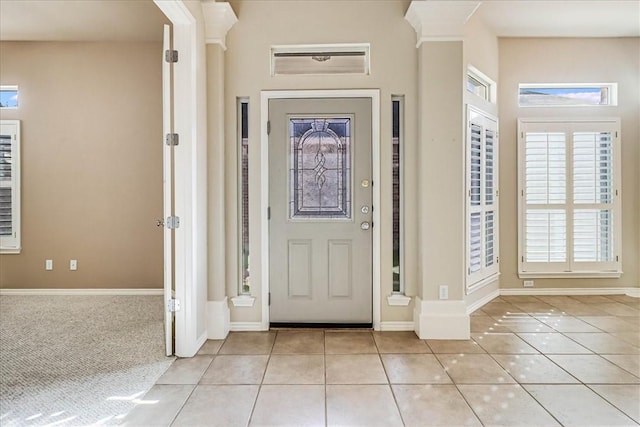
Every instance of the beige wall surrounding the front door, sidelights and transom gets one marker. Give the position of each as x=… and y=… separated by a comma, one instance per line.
x=393, y=71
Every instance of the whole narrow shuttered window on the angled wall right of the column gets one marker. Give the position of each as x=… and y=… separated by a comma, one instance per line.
x=482, y=198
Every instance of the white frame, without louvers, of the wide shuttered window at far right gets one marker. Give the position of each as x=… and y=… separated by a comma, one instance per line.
x=570, y=268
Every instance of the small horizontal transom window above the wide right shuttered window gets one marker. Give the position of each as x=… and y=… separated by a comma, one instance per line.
x=567, y=95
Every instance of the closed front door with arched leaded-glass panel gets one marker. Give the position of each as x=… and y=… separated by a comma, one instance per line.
x=320, y=198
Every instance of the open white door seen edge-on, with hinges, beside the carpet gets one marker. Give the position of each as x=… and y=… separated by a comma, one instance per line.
x=167, y=176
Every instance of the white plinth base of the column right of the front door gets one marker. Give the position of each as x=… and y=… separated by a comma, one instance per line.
x=441, y=319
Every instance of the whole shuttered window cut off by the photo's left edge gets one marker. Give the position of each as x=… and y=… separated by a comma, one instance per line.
x=9, y=186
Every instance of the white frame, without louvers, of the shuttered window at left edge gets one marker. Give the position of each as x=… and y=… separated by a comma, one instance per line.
x=12, y=244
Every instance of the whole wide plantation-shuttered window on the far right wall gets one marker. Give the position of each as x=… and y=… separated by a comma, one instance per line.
x=570, y=202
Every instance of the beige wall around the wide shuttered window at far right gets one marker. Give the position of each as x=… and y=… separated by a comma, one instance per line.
x=587, y=60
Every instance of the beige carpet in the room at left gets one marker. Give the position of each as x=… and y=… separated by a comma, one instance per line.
x=77, y=360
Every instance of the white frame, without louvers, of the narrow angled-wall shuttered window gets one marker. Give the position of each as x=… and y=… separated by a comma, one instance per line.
x=486, y=274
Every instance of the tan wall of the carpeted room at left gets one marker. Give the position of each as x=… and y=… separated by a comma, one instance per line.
x=91, y=118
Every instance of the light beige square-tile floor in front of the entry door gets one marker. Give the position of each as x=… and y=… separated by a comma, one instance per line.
x=537, y=361
